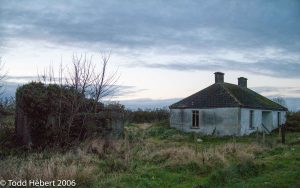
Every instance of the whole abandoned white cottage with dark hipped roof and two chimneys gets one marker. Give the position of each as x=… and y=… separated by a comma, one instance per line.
x=226, y=109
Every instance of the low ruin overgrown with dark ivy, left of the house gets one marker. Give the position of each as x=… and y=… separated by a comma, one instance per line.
x=43, y=117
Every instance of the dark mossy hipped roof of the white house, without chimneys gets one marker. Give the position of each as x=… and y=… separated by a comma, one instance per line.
x=221, y=95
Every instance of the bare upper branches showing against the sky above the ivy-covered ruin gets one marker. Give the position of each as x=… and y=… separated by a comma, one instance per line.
x=88, y=78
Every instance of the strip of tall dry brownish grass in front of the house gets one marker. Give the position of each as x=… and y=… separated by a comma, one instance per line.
x=172, y=156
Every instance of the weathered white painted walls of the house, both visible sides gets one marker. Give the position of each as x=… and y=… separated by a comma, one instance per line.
x=225, y=121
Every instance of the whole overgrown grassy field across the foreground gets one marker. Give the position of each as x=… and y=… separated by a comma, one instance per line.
x=154, y=155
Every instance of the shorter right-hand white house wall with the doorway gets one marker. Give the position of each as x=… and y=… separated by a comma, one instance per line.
x=267, y=117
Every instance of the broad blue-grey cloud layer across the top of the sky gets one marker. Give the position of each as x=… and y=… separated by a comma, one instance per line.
x=192, y=24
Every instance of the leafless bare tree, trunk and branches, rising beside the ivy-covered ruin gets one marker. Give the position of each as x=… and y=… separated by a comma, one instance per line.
x=85, y=79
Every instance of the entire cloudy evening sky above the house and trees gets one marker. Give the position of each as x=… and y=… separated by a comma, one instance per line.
x=163, y=50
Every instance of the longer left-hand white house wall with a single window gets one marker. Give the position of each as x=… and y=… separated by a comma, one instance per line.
x=218, y=121
